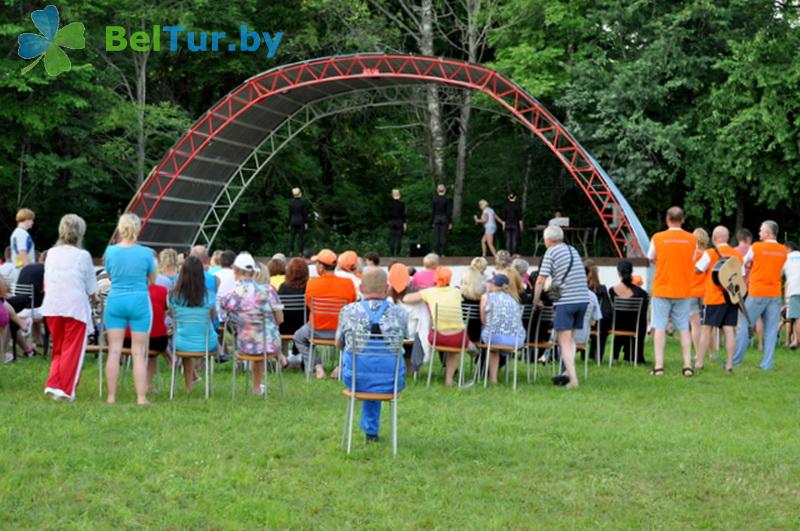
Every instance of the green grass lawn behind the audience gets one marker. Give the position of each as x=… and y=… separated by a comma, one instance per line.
x=624, y=450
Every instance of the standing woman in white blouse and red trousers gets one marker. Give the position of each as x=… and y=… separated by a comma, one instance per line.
x=70, y=281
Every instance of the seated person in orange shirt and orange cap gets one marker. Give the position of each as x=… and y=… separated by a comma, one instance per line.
x=324, y=286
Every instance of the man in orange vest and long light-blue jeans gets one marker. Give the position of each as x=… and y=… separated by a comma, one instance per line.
x=766, y=257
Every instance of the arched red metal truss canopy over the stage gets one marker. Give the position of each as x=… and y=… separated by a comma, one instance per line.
x=187, y=197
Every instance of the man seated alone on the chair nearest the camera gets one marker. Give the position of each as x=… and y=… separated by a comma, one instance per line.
x=373, y=314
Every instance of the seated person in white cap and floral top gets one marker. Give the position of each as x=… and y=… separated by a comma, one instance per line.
x=257, y=312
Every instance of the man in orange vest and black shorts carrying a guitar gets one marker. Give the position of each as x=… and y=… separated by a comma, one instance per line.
x=718, y=313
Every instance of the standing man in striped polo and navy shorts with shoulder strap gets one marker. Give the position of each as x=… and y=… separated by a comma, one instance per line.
x=563, y=264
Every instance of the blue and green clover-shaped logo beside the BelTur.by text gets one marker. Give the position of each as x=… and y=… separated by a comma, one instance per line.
x=50, y=42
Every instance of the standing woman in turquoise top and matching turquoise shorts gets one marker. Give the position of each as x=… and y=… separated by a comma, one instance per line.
x=131, y=268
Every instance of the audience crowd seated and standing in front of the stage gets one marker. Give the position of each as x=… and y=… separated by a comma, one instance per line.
x=143, y=302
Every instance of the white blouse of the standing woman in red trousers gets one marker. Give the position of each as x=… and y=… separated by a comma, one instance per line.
x=70, y=279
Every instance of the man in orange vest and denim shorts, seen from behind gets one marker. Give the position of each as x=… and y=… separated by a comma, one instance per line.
x=672, y=252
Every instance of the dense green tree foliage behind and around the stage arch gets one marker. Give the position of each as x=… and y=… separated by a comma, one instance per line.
x=693, y=102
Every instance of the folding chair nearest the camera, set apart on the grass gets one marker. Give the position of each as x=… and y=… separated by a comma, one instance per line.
x=360, y=347
